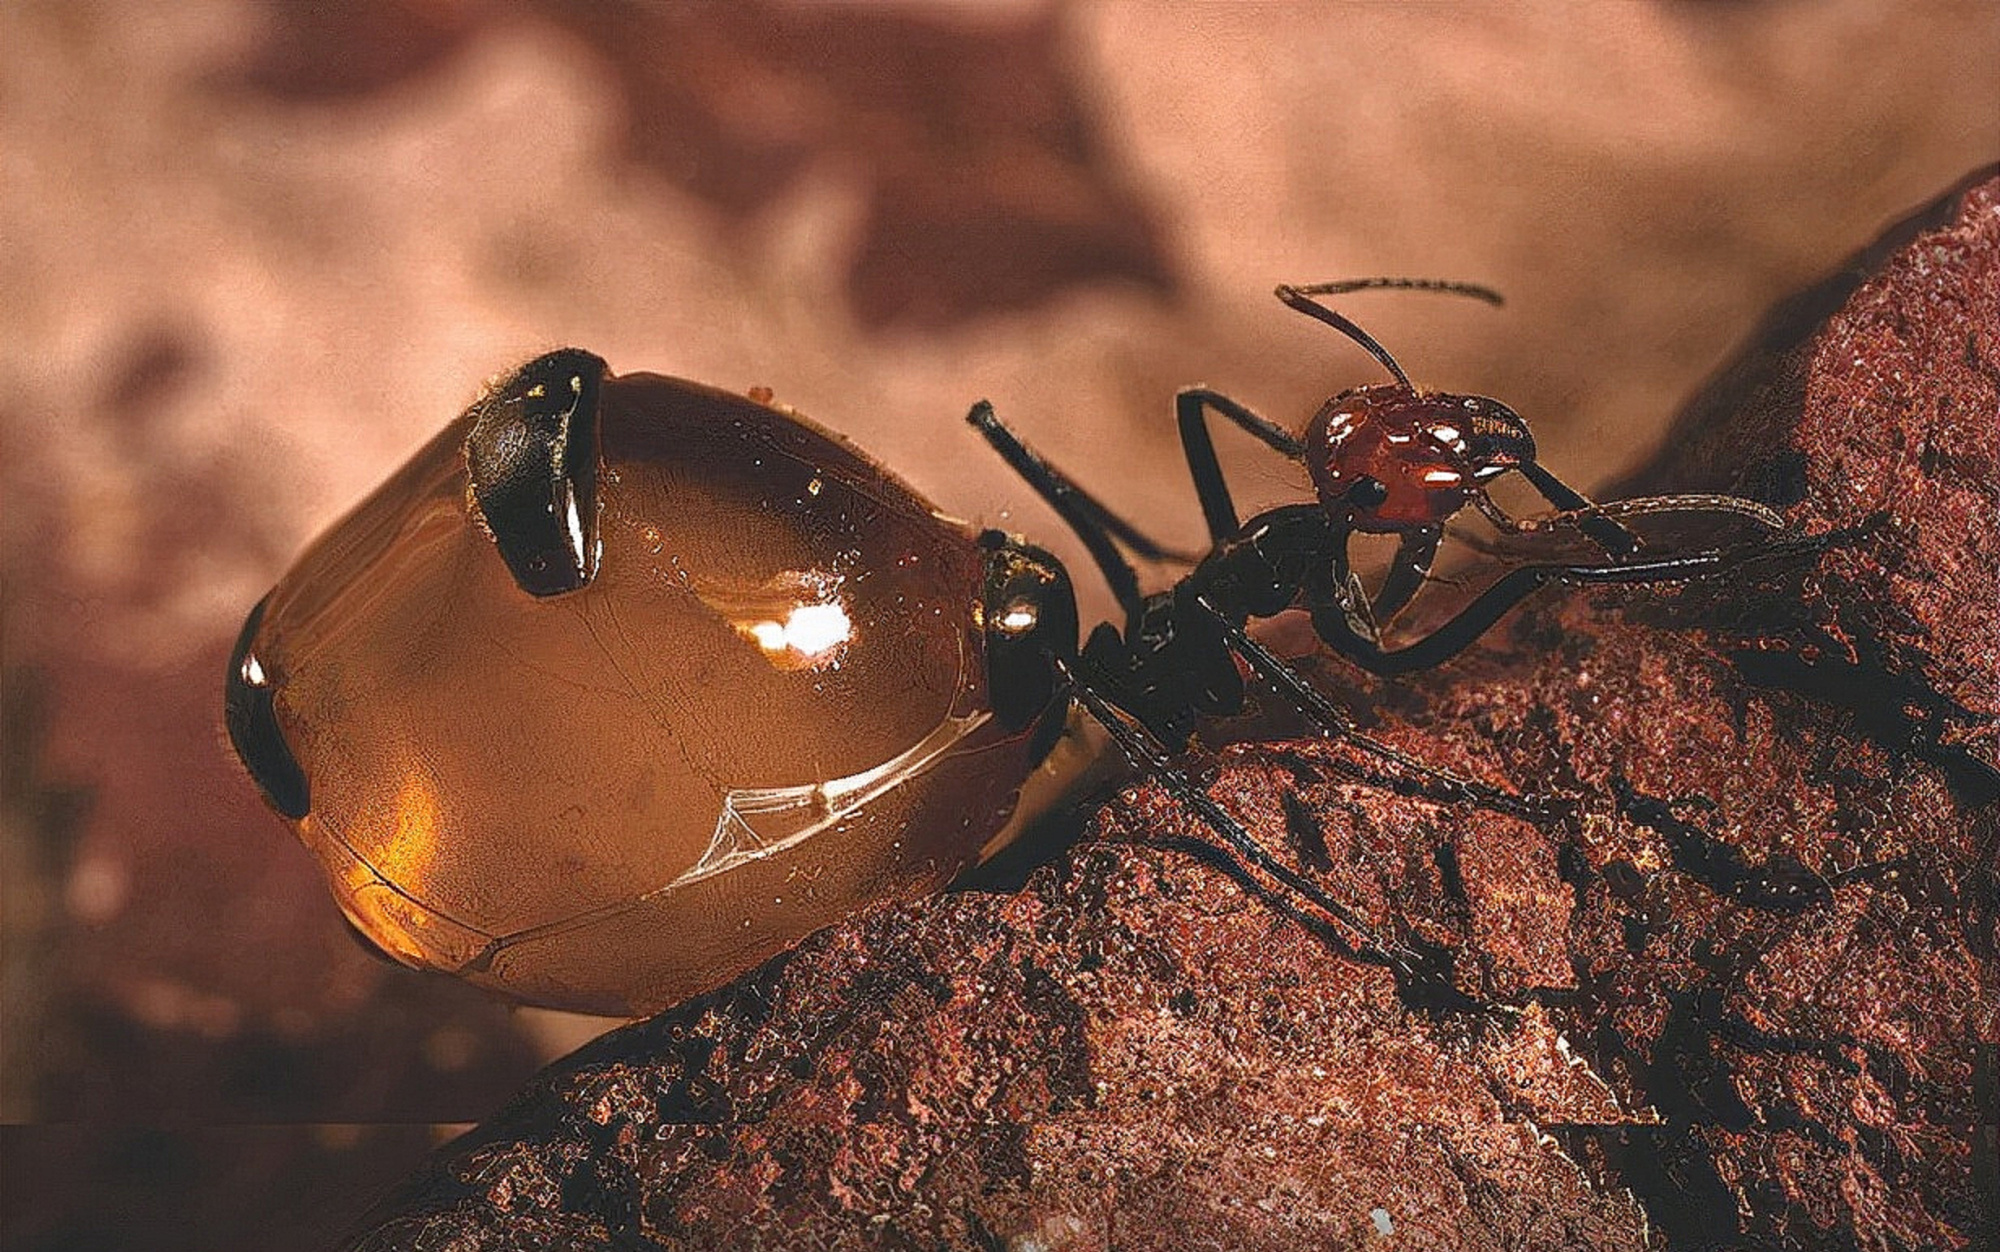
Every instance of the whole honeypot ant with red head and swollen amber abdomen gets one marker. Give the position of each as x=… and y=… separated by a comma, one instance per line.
x=625, y=683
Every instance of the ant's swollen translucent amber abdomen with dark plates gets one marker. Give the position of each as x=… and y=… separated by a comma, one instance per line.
x=625, y=685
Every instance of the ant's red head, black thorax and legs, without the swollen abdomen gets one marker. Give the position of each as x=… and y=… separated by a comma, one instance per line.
x=1387, y=459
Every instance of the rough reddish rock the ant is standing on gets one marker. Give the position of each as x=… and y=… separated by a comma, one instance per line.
x=1745, y=997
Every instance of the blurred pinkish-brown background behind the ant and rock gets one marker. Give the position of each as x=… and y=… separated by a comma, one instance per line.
x=253, y=253
